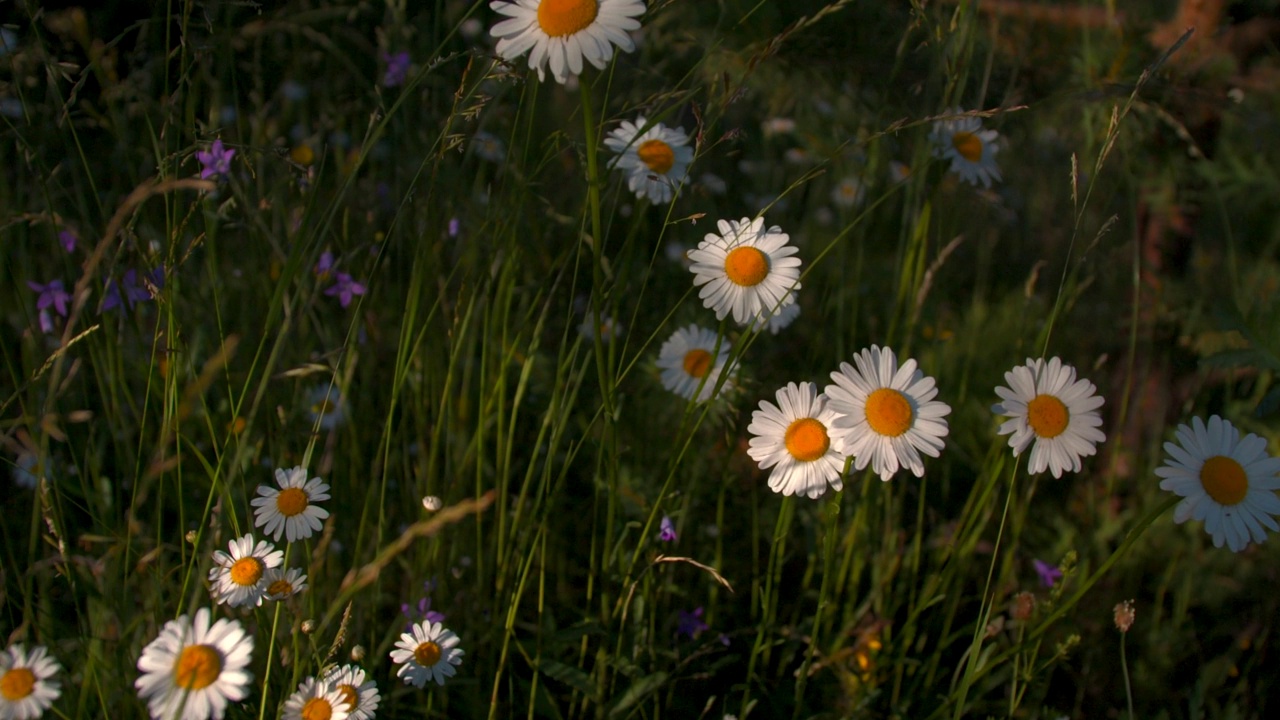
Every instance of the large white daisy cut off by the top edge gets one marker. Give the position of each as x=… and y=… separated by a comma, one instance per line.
x=561, y=33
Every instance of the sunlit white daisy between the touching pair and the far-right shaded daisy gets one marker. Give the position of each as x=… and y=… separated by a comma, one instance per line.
x=1053, y=409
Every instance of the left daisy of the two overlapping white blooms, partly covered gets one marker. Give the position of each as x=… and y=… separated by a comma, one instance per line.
x=796, y=439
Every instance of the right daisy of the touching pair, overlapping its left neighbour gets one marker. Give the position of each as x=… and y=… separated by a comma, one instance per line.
x=888, y=414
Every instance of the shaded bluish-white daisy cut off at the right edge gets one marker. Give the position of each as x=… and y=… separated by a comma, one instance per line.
x=1227, y=482
